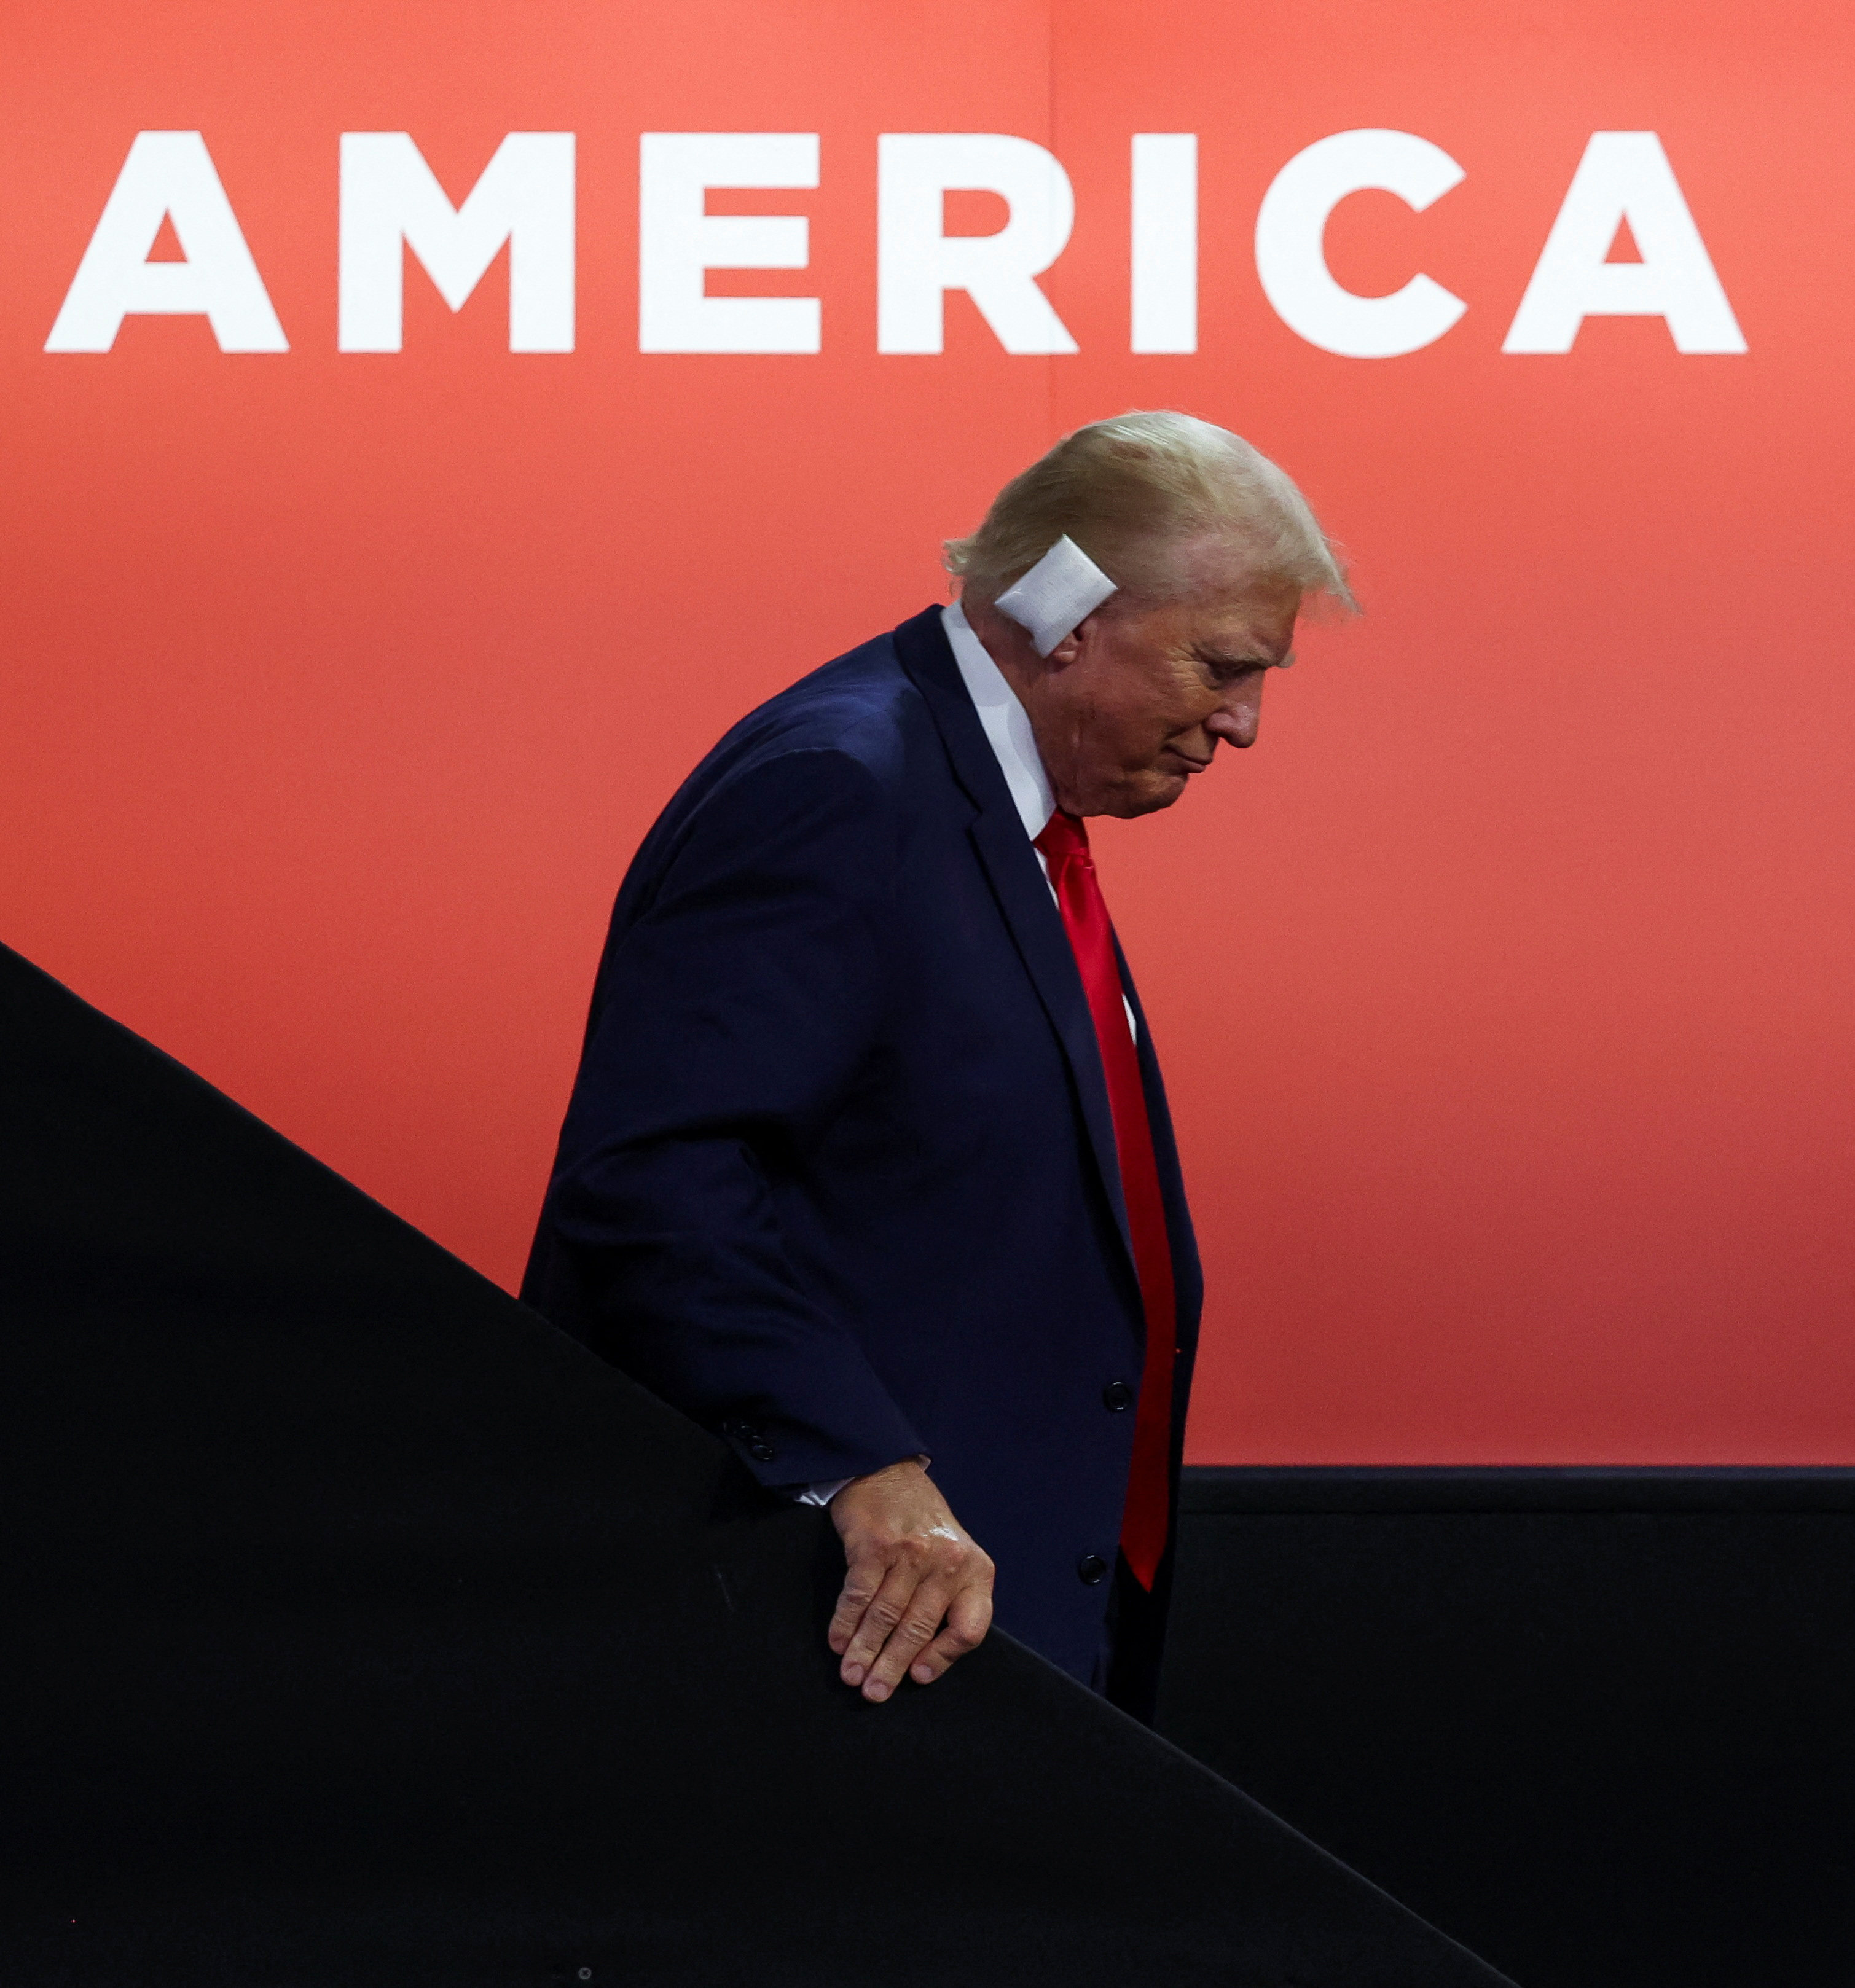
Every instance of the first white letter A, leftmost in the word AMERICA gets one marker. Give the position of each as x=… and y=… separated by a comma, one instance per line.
x=168, y=176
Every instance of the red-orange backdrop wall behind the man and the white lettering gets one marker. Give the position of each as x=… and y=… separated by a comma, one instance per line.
x=1504, y=987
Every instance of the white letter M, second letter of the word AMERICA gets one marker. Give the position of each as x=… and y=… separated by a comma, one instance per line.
x=391, y=198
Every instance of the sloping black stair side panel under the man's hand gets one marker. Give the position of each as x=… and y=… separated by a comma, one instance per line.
x=363, y=1629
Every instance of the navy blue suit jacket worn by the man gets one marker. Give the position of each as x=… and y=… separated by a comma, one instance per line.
x=838, y=1178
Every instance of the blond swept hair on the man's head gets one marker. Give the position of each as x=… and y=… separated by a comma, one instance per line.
x=1130, y=492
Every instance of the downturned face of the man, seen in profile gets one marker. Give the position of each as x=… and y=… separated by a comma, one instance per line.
x=1138, y=701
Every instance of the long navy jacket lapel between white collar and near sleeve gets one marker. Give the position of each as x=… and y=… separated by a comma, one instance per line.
x=1019, y=886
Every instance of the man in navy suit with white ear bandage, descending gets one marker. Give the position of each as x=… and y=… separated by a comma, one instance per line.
x=868, y=1166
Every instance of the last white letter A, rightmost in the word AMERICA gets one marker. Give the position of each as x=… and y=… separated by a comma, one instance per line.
x=1625, y=176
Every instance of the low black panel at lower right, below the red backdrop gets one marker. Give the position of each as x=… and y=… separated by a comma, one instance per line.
x=1600, y=1725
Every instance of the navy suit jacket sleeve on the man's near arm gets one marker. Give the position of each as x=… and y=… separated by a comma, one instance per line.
x=737, y=1009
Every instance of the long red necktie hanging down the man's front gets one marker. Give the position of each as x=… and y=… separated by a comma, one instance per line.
x=1079, y=896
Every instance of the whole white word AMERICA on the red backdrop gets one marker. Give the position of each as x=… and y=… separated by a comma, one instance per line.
x=526, y=198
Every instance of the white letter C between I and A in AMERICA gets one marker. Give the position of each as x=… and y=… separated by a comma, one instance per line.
x=1293, y=263
